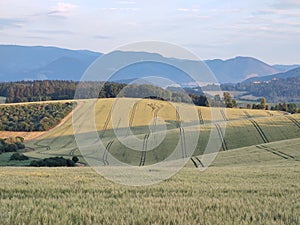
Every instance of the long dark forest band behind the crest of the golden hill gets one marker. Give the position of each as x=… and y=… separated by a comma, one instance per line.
x=30, y=91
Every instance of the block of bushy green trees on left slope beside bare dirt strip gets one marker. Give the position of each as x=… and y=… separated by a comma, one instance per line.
x=33, y=117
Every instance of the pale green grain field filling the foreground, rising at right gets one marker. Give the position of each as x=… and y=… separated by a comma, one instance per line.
x=243, y=186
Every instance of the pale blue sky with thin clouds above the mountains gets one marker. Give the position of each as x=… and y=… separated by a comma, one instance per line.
x=265, y=29
